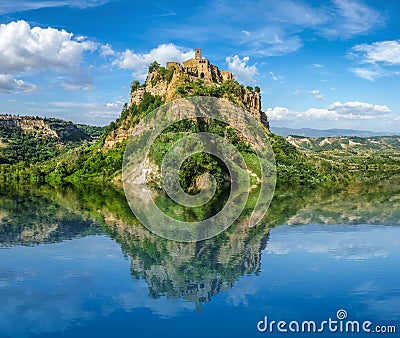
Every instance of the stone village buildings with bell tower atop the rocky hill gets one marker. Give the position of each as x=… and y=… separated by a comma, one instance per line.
x=202, y=69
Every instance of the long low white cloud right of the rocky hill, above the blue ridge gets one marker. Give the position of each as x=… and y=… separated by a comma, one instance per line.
x=354, y=110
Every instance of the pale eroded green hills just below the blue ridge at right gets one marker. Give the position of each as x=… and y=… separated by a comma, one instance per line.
x=382, y=143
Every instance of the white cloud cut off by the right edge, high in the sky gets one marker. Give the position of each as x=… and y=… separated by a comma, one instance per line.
x=387, y=52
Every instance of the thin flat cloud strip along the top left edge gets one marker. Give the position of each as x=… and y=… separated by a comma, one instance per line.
x=7, y=6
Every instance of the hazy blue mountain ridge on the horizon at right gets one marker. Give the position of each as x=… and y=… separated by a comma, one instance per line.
x=309, y=132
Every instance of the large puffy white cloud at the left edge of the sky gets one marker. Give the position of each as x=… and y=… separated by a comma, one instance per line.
x=23, y=49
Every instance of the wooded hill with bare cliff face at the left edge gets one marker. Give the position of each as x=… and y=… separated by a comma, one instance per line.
x=34, y=139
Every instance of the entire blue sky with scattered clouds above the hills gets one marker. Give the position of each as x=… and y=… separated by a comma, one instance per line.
x=320, y=64
